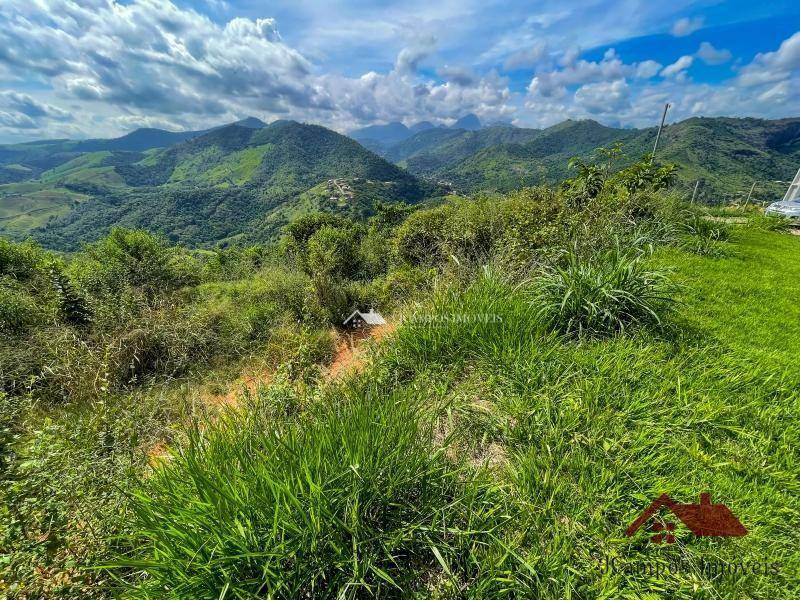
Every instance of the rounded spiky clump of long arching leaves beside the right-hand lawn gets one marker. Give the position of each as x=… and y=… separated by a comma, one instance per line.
x=603, y=294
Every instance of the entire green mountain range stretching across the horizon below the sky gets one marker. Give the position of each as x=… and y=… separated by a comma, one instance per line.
x=245, y=180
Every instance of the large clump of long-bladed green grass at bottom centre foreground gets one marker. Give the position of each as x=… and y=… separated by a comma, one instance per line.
x=354, y=499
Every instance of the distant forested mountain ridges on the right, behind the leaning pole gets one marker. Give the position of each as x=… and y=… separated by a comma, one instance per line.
x=725, y=154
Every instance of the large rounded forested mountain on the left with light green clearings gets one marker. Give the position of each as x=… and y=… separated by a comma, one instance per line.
x=234, y=182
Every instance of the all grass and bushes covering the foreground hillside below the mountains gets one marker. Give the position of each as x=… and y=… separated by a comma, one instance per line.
x=561, y=357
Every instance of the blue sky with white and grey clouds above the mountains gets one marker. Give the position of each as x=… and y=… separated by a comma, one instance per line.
x=101, y=68
